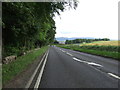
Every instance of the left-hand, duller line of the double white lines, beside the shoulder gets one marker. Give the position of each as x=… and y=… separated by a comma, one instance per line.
x=32, y=77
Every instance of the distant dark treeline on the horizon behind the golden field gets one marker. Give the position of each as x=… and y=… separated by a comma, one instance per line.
x=84, y=40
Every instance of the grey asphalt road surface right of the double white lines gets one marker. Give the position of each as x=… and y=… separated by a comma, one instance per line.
x=66, y=68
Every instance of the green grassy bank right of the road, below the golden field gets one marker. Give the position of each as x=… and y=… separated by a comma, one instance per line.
x=106, y=51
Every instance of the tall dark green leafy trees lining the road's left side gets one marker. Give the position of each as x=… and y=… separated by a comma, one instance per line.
x=27, y=25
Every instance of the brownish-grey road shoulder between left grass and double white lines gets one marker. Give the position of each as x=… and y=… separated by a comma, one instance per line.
x=22, y=79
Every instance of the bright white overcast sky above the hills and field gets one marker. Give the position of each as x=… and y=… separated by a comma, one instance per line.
x=92, y=18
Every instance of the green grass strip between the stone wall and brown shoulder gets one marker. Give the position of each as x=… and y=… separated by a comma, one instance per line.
x=12, y=69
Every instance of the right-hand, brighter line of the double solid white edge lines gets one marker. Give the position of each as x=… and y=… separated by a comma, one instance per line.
x=40, y=74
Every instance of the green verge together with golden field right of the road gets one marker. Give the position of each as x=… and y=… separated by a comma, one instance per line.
x=102, y=48
